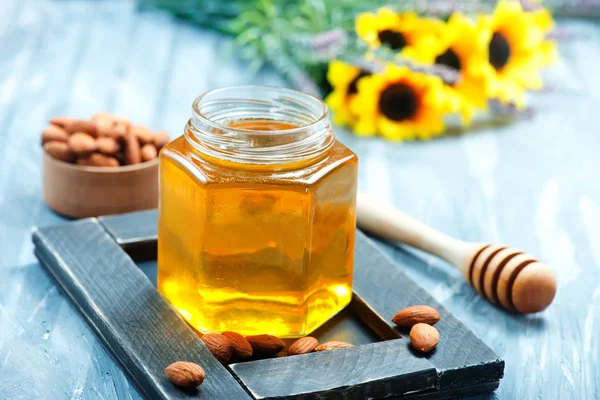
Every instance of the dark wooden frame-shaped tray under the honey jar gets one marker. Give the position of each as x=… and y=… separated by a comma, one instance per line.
x=92, y=261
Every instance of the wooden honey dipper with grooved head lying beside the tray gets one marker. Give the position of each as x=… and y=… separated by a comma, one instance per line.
x=503, y=275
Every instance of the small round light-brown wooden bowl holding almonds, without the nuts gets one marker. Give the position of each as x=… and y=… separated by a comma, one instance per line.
x=80, y=191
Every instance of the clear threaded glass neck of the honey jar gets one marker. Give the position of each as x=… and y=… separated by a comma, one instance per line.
x=218, y=130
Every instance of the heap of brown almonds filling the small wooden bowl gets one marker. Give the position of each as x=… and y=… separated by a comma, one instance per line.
x=104, y=141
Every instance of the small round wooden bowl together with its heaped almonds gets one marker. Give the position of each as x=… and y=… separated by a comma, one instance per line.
x=102, y=166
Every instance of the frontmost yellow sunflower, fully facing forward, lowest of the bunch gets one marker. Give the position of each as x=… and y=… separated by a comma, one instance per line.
x=400, y=104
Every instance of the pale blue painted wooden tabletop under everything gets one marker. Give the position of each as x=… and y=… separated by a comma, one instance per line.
x=533, y=184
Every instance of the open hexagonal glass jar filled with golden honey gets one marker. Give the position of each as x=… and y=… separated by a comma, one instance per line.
x=257, y=214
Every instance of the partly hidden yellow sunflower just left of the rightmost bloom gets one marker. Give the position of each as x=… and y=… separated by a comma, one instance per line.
x=459, y=46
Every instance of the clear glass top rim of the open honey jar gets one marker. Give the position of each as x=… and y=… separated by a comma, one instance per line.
x=217, y=125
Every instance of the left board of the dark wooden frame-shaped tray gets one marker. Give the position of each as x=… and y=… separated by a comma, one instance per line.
x=134, y=322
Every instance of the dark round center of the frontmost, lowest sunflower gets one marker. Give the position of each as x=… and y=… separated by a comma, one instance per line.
x=398, y=102
